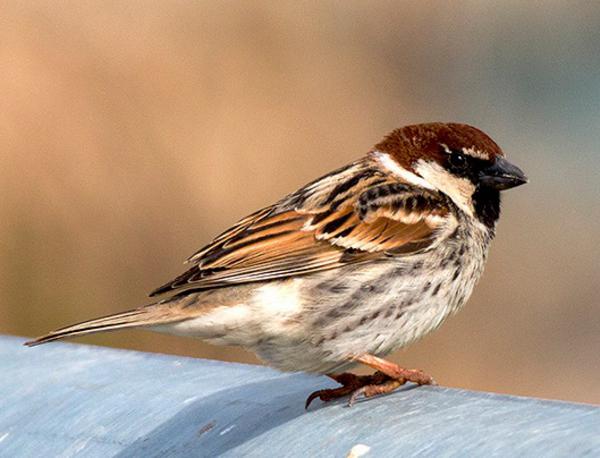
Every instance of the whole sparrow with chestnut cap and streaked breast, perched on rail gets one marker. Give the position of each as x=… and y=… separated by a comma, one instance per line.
x=356, y=264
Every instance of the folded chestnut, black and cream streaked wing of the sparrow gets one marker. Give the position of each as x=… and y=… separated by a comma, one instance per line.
x=357, y=214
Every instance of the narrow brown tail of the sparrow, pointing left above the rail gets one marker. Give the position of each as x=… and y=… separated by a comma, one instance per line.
x=140, y=317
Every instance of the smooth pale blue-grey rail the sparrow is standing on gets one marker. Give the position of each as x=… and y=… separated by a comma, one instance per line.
x=66, y=400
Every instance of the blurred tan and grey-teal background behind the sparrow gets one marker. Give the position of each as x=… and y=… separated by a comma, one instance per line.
x=133, y=132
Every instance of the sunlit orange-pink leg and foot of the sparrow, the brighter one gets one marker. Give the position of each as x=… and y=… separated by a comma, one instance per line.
x=395, y=376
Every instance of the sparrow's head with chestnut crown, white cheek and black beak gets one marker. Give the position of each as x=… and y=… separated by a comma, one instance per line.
x=457, y=160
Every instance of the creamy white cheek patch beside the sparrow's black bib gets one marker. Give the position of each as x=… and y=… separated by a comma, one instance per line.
x=460, y=190
